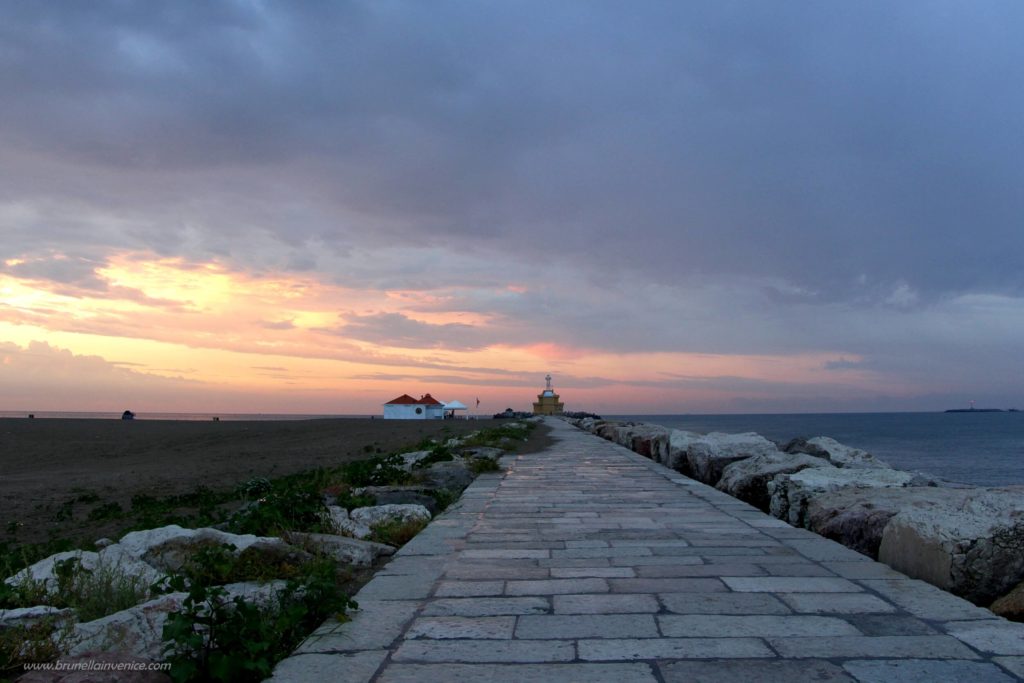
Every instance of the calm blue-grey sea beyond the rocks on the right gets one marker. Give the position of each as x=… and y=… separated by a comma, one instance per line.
x=983, y=449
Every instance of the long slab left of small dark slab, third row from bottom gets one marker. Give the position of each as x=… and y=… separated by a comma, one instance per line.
x=733, y=626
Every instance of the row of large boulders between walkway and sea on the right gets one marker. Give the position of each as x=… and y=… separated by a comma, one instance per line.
x=969, y=541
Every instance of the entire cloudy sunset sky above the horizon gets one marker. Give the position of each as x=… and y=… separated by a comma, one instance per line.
x=672, y=207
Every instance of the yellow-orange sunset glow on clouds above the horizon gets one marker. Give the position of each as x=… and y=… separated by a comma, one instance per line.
x=302, y=345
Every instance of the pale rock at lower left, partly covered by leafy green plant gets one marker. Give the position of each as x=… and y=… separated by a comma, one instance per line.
x=139, y=631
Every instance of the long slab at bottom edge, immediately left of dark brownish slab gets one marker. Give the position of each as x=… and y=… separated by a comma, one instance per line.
x=530, y=673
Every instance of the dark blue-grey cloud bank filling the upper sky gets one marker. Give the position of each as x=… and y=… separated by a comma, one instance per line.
x=846, y=149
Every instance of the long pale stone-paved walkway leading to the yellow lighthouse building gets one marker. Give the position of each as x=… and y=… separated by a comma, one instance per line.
x=590, y=564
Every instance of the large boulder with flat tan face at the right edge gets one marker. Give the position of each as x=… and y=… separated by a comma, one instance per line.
x=975, y=549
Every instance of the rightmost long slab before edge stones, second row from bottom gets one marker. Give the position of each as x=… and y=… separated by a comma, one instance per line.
x=937, y=648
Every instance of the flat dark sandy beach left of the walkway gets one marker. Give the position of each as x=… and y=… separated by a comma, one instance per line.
x=46, y=463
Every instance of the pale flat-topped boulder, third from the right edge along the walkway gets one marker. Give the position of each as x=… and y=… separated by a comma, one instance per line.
x=791, y=493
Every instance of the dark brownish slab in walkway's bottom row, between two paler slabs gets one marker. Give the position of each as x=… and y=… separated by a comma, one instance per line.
x=753, y=671
